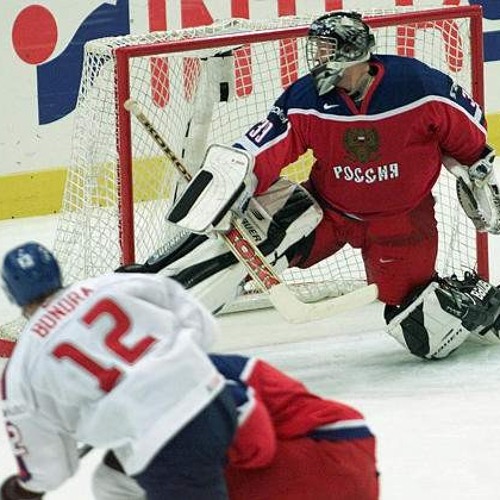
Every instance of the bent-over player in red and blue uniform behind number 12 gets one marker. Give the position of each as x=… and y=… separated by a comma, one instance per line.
x=290, y=444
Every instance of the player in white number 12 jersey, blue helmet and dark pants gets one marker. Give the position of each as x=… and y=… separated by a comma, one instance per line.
x=115, y=362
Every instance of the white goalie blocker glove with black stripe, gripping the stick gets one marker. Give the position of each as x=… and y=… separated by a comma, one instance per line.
x=223, y=182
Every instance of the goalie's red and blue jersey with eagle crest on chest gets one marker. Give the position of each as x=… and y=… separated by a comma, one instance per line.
x=381, y=159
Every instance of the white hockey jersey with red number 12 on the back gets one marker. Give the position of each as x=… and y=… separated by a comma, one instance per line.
x=114, y=362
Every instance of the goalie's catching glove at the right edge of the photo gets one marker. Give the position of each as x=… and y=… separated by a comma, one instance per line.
x=478, y=191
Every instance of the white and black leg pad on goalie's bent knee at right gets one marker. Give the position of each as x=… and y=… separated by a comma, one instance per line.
x=426, y=329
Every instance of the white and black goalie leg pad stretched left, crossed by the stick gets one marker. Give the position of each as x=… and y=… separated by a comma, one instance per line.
x=274, y=220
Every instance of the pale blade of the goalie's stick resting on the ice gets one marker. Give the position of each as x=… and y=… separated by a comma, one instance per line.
x=296, y=311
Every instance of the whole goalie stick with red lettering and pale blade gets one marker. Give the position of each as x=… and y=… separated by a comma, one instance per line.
x=283, y=299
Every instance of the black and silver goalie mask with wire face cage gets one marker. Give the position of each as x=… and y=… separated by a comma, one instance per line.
x=335, y=42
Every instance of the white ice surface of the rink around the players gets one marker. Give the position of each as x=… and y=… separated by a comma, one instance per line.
x=437, y=423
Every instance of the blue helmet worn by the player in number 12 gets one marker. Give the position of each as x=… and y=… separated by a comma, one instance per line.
x=30, y=272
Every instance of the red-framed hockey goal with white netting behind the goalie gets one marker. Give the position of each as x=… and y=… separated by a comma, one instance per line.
x=209, y=84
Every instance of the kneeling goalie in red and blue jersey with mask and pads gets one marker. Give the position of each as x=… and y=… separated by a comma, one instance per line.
x=370, y=186
